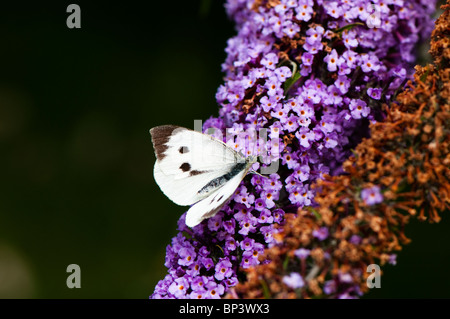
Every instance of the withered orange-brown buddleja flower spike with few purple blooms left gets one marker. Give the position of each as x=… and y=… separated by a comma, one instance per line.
x=402, y=170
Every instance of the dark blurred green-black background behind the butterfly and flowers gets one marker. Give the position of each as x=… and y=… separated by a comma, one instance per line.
x=76, y=160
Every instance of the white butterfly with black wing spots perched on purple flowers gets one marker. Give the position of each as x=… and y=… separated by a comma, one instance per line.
x=195, y=168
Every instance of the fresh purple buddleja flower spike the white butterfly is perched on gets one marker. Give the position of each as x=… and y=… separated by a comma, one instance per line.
x=314, y=73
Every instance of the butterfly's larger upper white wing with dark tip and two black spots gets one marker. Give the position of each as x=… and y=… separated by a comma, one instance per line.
x=190, y=165
